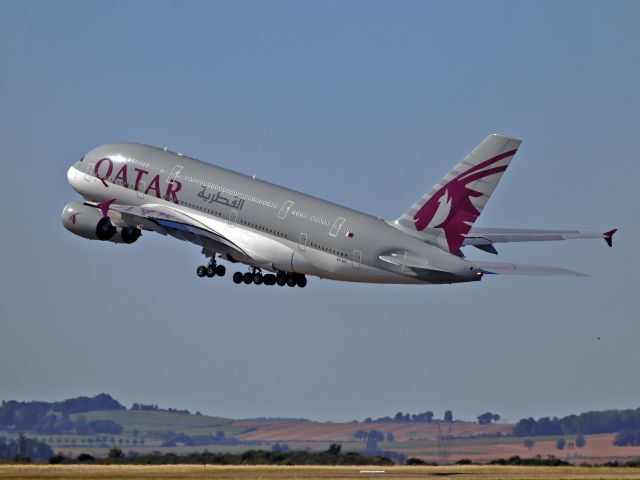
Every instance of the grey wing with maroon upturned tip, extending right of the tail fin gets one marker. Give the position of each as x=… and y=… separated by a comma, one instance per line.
x=484, y=238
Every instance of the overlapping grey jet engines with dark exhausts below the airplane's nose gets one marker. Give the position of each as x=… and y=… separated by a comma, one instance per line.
x=87, y=221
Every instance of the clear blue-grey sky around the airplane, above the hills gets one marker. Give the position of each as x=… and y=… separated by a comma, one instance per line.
x=367, y=104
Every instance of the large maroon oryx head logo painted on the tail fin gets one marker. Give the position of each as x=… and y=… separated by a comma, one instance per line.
x=451, y=209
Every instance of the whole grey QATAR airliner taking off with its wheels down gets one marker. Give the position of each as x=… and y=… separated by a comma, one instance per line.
x=283, y=235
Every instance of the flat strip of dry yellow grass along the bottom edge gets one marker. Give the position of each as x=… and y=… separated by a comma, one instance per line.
x=168, y=472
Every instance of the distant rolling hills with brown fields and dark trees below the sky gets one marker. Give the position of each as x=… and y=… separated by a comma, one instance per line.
x=93, y=425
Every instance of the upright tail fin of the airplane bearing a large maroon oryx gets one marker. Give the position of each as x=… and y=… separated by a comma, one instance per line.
x=446, y=213
